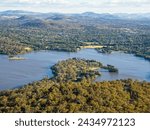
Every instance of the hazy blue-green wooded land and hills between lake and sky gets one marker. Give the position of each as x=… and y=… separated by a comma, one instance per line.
x=68, y=32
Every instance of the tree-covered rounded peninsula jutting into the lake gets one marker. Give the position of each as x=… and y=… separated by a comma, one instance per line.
x=76, y=70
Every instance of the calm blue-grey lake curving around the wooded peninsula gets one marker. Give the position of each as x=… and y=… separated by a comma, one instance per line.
x=15, y=73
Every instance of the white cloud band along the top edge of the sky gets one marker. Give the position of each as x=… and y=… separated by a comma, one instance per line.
x=79, y=2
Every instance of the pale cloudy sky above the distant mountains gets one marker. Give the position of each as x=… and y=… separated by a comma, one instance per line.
x=78, y=6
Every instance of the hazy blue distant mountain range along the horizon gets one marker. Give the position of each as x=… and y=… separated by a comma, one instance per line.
x=59, y=16
